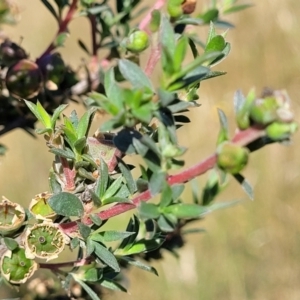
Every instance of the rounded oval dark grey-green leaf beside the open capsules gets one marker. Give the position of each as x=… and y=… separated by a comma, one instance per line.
x=66, y=204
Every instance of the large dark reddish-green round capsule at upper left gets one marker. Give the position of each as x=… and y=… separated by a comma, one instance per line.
x=24, y=79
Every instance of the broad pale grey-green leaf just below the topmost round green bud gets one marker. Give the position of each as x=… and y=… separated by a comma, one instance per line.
x=135, y=75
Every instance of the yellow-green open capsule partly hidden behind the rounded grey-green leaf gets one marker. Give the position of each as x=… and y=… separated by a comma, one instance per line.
x=40, y=208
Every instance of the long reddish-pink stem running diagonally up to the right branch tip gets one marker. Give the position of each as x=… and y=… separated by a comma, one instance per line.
x=242, y=138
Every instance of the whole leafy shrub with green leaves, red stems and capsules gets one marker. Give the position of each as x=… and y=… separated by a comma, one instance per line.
x=90, y=182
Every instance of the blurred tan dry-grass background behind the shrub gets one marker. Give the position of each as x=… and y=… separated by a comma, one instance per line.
x=250, y=251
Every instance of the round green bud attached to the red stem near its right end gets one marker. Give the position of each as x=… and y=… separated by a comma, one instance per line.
x=232, y=158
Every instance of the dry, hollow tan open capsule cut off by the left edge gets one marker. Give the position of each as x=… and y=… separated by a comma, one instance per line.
x=12, y=217
